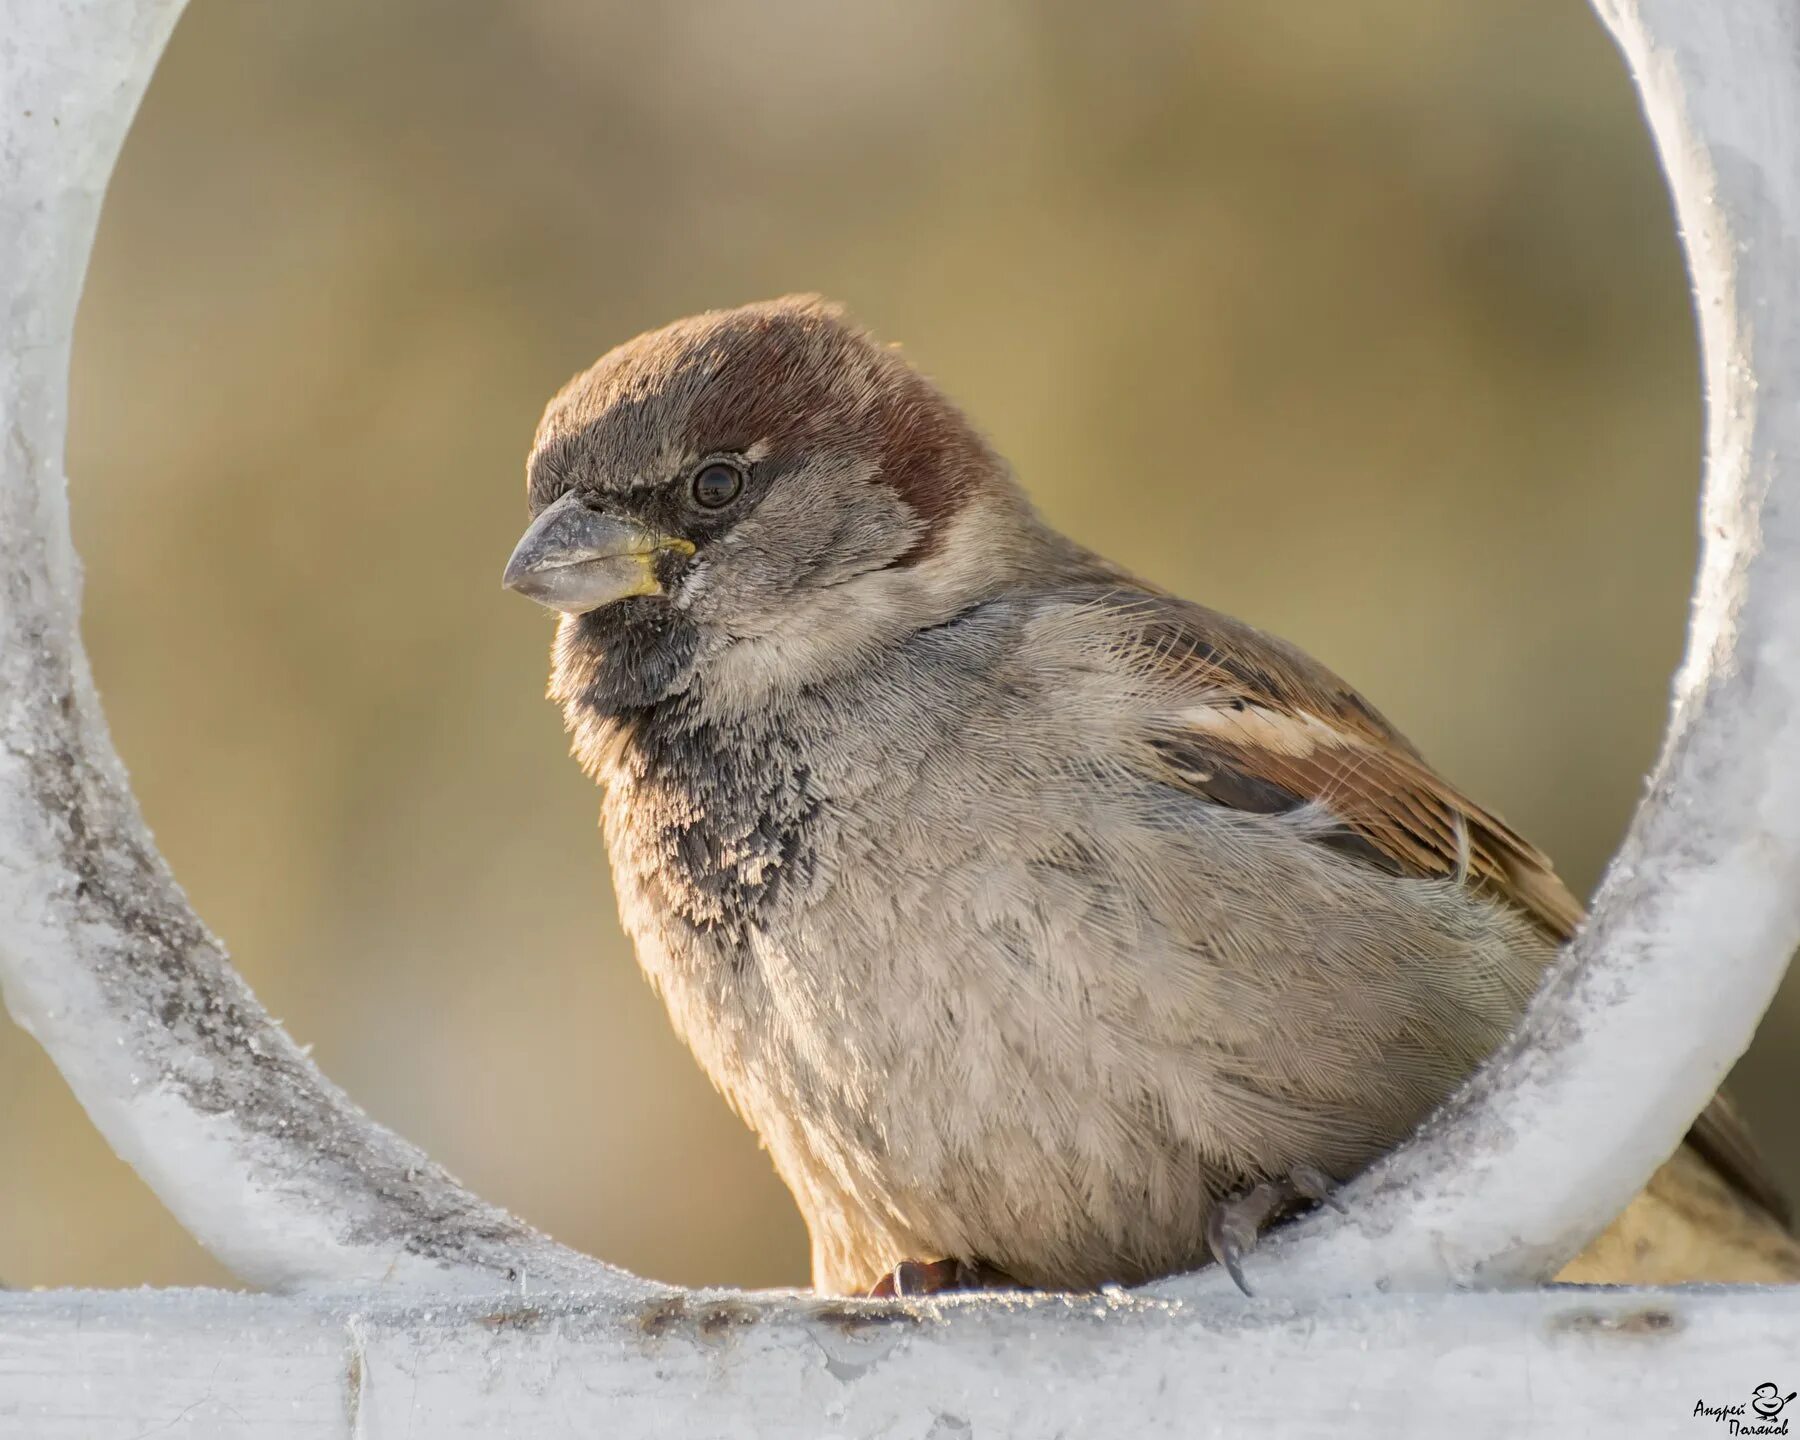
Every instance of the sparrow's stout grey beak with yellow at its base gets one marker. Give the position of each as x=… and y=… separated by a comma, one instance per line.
x=575, y=559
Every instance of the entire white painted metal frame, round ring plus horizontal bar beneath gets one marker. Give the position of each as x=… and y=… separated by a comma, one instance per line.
x=278, y=1173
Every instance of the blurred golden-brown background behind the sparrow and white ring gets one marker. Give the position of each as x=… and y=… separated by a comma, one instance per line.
x=1362, y=321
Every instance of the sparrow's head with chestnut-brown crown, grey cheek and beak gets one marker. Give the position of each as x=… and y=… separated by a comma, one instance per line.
x=750, y=499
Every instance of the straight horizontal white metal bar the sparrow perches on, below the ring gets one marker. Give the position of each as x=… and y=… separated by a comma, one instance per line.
x=1560, y=1363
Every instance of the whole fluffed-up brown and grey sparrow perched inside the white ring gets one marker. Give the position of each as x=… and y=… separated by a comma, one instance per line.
x=1048, y=930
